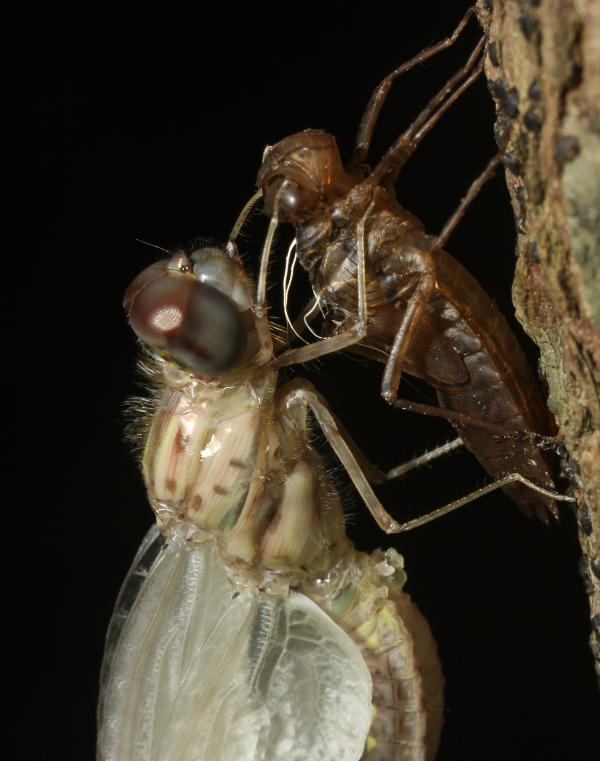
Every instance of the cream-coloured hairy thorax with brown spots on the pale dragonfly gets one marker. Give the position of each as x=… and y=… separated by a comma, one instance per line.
x=221, y=462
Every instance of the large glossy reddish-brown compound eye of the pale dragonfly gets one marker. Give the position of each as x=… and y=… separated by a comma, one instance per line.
x=192, y=323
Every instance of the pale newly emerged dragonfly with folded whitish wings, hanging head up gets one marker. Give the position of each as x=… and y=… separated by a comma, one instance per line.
x=249, y=628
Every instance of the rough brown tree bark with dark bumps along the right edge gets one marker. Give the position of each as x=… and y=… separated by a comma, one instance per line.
x=543, y=69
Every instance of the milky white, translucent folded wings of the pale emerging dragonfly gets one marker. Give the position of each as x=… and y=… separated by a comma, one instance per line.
x=192, y=673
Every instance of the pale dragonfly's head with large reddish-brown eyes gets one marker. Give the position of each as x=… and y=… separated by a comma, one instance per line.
x=194, y=310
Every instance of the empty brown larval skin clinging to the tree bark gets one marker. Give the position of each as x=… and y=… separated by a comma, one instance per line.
x=389, y=291
